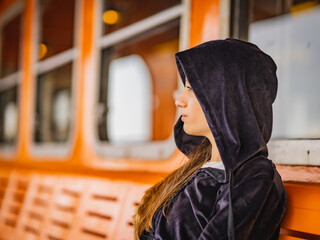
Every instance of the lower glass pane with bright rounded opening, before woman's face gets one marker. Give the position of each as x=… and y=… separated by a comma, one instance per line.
x=138, y=78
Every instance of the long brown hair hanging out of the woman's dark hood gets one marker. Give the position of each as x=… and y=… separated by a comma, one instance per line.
x=163, y=191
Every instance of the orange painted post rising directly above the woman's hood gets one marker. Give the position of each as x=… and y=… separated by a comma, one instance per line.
x=204, y=24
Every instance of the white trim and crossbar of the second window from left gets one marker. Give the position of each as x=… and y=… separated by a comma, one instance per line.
x=59, y=151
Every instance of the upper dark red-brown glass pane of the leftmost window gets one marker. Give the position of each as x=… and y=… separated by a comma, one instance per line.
x=10, y=46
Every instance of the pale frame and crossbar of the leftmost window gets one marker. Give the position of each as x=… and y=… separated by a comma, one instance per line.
x=13, y=79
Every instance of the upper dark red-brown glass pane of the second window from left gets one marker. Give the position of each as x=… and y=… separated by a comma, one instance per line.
x=56, y=30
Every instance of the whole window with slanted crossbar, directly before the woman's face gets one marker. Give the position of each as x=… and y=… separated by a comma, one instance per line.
x=138, y=78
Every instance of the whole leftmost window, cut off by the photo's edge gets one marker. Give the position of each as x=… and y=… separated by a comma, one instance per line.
x=10, y=38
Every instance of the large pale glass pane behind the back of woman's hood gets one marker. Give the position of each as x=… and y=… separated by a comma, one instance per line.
x=293, y=40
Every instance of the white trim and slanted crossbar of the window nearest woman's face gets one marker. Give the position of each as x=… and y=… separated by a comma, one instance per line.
x=154, y=150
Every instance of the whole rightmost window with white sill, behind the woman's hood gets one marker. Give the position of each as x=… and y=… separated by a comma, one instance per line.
x=289, y=32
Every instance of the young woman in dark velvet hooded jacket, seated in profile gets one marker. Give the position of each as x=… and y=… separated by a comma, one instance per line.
x=228, y=189
